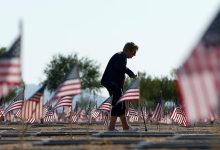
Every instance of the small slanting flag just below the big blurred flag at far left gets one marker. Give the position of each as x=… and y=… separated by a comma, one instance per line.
x=16, y=103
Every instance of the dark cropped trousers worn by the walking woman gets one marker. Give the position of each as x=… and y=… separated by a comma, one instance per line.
x=116, y=93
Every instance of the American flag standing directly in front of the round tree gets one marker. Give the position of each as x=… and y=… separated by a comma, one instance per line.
x=69, y=87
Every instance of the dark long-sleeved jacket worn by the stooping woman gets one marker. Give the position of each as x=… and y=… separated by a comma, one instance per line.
x=115, y=71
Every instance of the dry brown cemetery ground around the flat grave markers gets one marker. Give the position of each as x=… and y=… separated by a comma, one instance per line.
x=13, y=136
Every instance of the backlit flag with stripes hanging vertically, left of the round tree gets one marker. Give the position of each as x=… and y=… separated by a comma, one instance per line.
x=32, y=108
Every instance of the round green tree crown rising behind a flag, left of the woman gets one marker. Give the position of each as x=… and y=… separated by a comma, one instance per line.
x=61, y=65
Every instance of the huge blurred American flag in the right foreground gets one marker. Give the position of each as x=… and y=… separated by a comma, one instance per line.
x=198, y=77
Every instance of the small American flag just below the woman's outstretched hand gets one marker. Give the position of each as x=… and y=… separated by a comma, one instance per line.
x=132, y=93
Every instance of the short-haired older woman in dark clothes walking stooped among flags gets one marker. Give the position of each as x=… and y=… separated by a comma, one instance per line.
x=113, y=80
